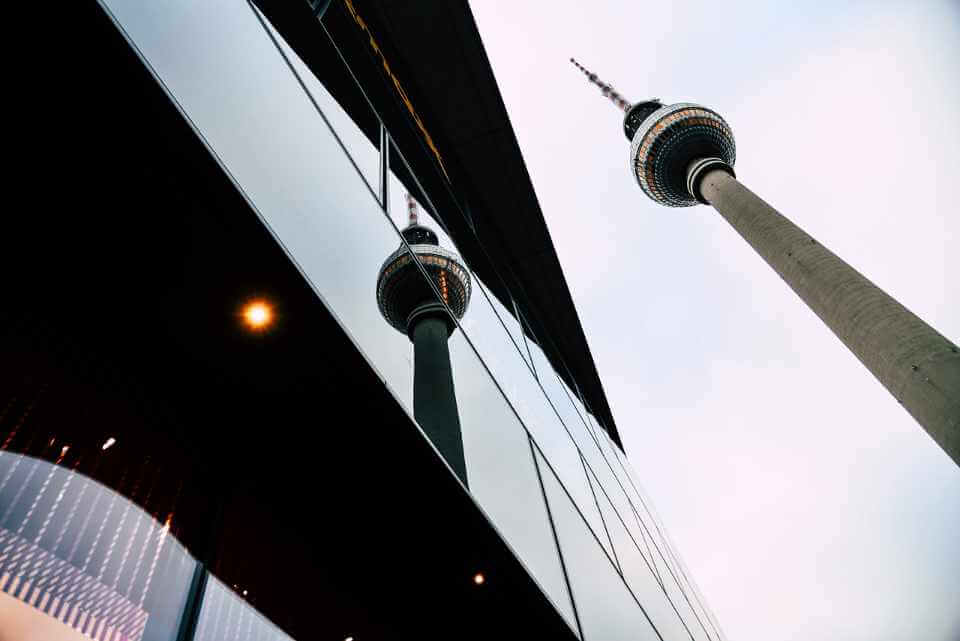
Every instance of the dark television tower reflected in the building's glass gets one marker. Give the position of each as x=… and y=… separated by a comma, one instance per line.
x=409, y=303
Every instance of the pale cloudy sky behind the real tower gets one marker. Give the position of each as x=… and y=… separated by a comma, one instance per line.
x=806, y=502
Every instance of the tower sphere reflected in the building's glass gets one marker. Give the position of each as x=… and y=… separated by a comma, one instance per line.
x=402, y=292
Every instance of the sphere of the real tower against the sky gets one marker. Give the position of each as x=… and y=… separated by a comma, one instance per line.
x=668, y=140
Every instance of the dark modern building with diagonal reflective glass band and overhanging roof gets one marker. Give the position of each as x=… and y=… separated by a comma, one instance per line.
x=207, y=428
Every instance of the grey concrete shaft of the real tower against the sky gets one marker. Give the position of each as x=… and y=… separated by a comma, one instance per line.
x=917, y=364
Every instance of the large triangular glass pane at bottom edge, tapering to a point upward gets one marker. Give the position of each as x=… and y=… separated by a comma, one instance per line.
x=606, y=608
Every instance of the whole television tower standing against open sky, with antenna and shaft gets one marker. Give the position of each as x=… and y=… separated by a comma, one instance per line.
x=683, y=154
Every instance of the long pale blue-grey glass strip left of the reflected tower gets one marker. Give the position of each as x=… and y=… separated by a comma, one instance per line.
x=288, y=162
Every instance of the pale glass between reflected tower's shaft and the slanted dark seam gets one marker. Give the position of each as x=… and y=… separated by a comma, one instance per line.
x=501, y=474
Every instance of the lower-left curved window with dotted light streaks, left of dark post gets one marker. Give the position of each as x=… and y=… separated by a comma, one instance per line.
x=78, y=560
